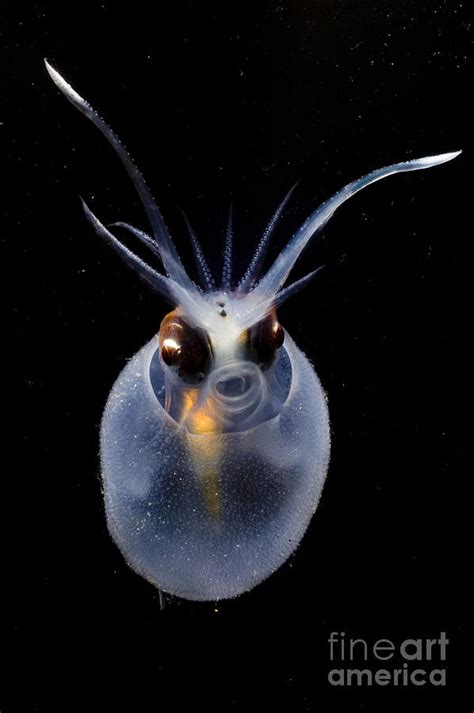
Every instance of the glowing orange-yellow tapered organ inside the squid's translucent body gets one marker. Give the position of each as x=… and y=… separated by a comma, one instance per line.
x=205, y=448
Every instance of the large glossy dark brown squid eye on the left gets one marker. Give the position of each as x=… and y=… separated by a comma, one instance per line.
x=184, y=349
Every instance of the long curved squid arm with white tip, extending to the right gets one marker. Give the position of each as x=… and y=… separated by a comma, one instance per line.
x=276, y=276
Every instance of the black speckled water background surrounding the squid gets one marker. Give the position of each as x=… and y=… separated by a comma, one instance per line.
x=217, y=100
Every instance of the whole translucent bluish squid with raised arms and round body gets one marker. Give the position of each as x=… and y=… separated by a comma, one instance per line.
x=215, y=437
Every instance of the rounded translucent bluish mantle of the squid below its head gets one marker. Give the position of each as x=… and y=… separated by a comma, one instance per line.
x=211, y=535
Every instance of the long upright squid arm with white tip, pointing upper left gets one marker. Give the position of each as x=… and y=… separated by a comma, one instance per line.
x=169, y=255
